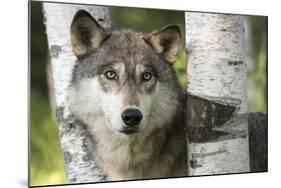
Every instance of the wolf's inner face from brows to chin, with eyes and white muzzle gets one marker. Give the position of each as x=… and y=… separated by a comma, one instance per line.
x=127, y=95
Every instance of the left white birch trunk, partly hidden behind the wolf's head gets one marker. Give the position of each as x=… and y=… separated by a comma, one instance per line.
x=75, y=141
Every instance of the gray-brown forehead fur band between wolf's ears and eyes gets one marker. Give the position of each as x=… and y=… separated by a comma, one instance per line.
x=132, y=49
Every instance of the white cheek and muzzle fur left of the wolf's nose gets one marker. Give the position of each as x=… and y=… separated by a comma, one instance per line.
x=89, y=101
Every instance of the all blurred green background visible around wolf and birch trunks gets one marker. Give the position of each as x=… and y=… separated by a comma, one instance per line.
x=46, y=163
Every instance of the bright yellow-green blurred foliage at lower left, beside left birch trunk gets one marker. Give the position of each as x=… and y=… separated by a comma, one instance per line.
x=46, y=159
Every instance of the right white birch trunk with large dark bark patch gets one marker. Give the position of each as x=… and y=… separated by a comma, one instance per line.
x=216, y=94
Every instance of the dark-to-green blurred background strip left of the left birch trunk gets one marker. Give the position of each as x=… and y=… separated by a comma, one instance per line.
x=46, y=165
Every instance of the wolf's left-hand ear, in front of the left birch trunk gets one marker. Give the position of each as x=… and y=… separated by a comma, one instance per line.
x=86, y=33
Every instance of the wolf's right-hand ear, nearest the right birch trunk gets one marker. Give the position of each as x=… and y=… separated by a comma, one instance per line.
x=166, y=42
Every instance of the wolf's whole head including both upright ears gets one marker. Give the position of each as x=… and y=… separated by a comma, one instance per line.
x=124, y=77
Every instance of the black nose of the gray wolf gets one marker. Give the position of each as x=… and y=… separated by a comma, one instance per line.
x=131, y=117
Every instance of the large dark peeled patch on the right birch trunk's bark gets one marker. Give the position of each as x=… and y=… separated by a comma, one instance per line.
x=203, y=115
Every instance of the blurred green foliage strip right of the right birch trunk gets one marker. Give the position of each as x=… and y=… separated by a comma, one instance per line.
x=257, y=77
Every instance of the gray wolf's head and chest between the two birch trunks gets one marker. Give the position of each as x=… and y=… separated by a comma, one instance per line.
x=125, y=89
